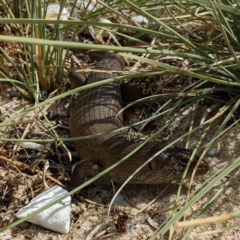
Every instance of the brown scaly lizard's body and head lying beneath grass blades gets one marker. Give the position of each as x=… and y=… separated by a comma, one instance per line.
x=94, y=112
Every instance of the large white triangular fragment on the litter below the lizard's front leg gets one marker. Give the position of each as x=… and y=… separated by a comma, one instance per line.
x=55, y=218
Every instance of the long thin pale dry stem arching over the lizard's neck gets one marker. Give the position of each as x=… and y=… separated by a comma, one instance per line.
x=155, y=155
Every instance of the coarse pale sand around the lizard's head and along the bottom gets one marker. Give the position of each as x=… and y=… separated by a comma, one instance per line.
x=88, y=218
